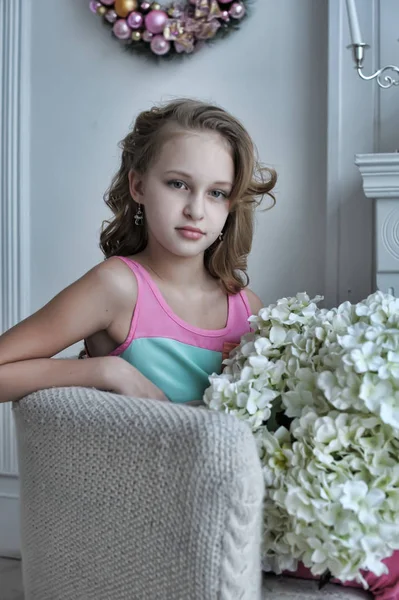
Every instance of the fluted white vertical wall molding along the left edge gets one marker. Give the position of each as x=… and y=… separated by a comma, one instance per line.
x=14, y=190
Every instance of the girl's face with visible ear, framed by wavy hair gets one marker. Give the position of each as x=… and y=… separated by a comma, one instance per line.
x=186, y=192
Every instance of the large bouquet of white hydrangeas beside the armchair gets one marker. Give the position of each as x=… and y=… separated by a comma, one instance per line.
x=320, y=390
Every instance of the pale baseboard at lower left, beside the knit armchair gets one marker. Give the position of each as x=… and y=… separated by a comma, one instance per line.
x=10, y=545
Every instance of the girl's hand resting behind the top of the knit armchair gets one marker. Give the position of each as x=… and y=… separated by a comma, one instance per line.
x=122, y=378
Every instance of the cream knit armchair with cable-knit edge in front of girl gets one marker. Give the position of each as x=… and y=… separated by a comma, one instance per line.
x=128, y=499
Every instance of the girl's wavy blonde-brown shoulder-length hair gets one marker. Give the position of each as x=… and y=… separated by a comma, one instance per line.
x=226, y=261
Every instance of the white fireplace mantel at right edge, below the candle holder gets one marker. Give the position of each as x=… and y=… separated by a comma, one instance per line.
x=380, y=174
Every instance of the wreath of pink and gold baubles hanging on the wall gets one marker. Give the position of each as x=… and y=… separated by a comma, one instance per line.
x=172, y=29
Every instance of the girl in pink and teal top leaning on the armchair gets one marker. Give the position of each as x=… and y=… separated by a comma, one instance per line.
x=171, y=296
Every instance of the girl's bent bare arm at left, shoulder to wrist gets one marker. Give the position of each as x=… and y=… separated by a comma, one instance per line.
x=87, y=306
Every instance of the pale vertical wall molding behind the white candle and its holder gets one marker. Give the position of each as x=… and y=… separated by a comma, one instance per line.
x=353, y=127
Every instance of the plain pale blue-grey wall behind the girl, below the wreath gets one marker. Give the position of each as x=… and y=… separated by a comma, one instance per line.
x=86, y=91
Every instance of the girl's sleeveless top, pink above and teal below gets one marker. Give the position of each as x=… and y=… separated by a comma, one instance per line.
x=177, y=357
